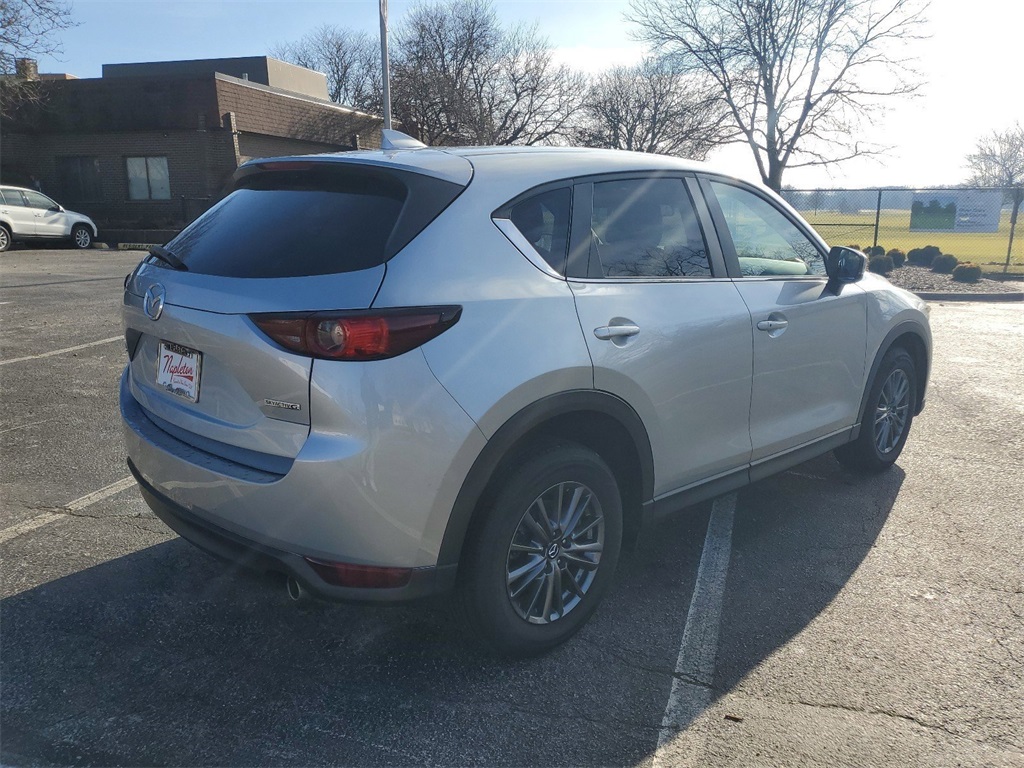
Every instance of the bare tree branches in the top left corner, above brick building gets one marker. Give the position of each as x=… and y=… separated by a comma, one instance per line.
x=28, y=30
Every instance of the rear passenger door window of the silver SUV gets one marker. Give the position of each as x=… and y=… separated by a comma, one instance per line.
x=648, y=229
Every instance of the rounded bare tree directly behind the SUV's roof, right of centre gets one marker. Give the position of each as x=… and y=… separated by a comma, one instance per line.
x=653, y=108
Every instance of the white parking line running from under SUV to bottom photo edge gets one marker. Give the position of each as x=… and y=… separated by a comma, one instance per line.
x=692, y=694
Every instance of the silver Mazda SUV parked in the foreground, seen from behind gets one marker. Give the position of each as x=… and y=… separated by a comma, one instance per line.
x=392, y=374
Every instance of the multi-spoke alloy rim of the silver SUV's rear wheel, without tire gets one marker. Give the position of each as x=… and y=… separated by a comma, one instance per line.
x=556, y=553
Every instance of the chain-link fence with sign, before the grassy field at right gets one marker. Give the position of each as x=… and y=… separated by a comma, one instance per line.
x=973, y=224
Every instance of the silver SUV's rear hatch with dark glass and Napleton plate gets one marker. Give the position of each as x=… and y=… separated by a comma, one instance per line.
x=294, y=236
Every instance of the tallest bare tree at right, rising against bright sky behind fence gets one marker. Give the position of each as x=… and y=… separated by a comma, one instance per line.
x=795, y=75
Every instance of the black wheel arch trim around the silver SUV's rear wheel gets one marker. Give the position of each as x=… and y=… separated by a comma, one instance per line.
x=596, y=420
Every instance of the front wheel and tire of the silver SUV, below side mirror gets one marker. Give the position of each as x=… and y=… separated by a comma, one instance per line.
x=887, y=418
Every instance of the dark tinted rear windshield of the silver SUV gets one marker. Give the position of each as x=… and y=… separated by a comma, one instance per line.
x=298, y=224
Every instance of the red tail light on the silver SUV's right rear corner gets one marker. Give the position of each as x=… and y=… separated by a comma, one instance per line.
x=358, y=336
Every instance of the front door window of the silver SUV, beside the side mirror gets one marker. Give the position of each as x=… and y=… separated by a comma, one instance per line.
x=767, y=243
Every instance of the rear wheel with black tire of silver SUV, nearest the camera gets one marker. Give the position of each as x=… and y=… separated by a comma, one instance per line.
x=543, y=552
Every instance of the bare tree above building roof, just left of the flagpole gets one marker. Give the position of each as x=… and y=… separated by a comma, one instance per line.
x=350, y=59
